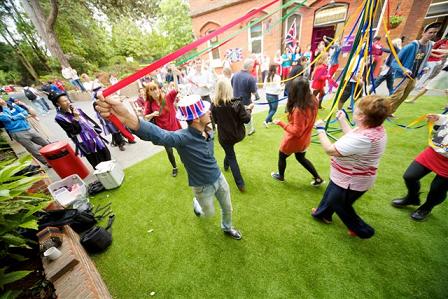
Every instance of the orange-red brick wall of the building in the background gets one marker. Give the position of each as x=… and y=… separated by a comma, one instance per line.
x=413, y=10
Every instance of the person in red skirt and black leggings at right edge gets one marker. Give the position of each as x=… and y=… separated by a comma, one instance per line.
x=433, y=159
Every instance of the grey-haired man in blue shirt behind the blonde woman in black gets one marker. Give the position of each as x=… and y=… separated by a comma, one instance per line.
x=244, y=85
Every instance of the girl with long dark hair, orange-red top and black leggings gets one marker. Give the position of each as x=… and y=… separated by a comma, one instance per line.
x=302, y=112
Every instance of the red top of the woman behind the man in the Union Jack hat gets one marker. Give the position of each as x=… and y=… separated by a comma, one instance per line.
x=167, y=119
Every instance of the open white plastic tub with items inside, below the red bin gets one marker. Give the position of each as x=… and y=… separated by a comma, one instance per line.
x=69, y=190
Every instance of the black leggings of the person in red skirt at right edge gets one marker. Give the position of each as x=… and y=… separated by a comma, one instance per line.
x=437, y=192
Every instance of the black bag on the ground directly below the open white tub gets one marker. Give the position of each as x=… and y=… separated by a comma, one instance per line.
x=79, y=221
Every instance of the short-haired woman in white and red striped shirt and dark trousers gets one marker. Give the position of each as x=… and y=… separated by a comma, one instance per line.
x=354, y=162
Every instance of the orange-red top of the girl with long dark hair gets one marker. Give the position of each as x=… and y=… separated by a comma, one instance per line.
x=298, y=130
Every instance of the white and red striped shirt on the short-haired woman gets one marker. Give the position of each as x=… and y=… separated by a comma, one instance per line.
x=361, y=150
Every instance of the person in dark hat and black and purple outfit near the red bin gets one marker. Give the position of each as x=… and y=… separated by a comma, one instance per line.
x=81, y=129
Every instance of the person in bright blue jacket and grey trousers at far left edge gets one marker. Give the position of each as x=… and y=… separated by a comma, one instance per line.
x=14, y=118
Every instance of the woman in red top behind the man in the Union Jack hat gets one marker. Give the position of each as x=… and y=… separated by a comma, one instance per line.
x=160, y=109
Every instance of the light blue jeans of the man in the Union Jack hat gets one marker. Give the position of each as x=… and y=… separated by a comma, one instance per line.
x=205, y=195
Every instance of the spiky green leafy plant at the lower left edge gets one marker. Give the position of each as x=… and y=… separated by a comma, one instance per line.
x=17, y=209
